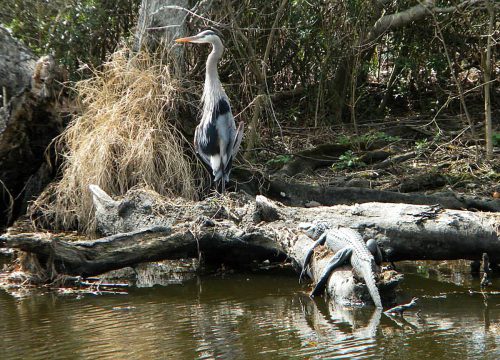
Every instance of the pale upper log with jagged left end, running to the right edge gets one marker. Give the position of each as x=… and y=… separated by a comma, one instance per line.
x=404, y=231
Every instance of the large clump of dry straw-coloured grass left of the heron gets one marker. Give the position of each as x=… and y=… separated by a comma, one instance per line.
x=125, y=137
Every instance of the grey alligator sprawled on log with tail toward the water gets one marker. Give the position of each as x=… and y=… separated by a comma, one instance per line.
x=349, y=247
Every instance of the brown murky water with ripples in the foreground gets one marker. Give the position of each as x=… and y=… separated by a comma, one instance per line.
x=254, y=316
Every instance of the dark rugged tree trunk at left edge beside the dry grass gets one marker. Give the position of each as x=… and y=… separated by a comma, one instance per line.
x=29, y=121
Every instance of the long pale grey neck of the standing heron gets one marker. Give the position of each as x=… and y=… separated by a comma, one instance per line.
x=213, y=88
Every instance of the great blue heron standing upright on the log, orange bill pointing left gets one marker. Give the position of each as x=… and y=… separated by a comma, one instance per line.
x=216, y=138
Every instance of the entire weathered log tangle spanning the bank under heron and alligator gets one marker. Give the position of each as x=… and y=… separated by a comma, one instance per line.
x=239, y=230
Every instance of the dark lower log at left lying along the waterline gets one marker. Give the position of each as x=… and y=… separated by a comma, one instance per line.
x=94, y=257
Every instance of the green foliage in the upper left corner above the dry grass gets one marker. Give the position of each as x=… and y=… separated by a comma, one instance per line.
x=76, y=32
